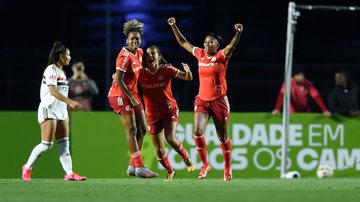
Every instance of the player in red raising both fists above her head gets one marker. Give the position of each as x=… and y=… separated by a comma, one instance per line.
x=211, y=100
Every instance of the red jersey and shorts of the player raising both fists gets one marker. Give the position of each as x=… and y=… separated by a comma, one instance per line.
x=212, y=97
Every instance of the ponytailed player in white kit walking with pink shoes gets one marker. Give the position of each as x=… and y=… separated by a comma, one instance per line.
x=53, y=115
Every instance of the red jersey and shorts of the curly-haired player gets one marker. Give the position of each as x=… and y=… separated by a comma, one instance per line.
x=131, y=64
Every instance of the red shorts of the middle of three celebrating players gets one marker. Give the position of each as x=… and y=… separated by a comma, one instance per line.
x=156, y=125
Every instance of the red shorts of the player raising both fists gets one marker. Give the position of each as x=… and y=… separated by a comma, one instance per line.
x=218, y=109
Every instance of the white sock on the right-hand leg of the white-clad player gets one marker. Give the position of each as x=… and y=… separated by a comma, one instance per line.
x=64, y=155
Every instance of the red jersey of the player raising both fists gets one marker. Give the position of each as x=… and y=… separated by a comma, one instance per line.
x=212, y=74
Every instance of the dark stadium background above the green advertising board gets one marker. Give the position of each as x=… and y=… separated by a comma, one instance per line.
x=324, y=42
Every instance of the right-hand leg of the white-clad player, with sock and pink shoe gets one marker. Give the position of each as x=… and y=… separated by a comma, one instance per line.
x=62, y=137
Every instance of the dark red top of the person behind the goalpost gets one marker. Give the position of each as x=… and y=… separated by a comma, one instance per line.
x=300, y=93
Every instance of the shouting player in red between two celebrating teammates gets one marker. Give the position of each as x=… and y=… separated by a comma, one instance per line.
x=162, y=112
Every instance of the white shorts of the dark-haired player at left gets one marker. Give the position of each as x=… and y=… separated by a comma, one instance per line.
x=58, y=113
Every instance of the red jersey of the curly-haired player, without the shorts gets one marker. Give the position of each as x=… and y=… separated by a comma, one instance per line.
x=131, y=64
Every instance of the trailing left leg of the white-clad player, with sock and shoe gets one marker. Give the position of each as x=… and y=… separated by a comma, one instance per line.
x=48, y=128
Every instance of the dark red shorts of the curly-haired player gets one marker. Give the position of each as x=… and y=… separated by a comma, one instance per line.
x=122, y=105
